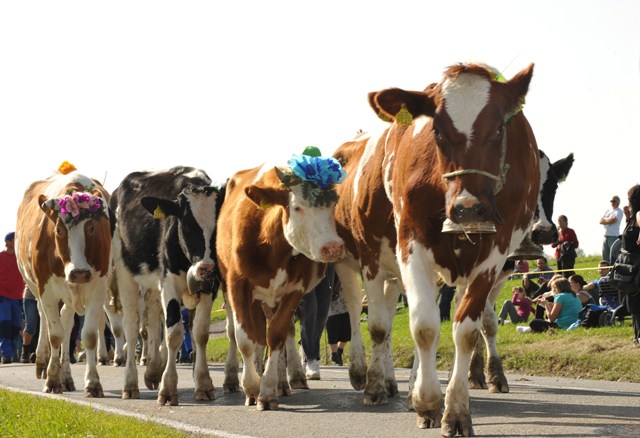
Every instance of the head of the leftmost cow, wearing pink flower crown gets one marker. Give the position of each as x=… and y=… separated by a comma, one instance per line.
x=82, y=233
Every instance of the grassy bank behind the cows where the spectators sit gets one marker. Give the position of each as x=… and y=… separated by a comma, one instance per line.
x=597, y=353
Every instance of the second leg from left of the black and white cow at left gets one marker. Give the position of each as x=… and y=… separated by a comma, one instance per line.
x=154, y=320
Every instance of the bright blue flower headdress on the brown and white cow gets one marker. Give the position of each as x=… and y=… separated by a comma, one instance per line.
x=317, y=175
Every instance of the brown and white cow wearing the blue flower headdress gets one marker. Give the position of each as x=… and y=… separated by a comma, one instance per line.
x=275, y=236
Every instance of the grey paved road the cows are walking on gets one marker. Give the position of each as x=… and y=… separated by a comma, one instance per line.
x=535, y=407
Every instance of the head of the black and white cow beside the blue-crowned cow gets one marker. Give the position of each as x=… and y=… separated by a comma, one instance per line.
x=195, y=212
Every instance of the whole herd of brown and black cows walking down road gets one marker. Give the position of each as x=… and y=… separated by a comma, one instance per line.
x=450, y=189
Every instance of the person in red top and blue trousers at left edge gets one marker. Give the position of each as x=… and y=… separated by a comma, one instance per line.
x=11, y=289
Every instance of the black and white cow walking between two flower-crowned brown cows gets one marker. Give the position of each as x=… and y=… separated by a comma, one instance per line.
x=165, y=236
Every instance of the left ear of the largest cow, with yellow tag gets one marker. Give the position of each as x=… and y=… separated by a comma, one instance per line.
x=400, y=105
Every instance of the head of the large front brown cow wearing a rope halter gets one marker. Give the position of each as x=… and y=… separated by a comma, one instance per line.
x=471, y=108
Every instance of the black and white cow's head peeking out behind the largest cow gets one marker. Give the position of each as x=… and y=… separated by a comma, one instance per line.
x=544, y=230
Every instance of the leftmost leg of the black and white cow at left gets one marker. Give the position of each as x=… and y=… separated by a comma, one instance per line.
x=129, y=294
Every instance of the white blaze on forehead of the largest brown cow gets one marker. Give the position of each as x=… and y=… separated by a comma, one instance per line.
x=465, y=96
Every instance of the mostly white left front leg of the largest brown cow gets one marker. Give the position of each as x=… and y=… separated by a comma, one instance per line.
x=424, y=316
